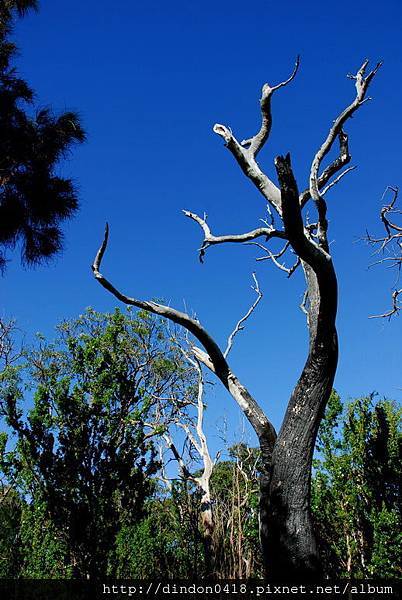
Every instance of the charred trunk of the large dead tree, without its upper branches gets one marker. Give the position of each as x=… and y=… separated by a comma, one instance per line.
x=287, y=536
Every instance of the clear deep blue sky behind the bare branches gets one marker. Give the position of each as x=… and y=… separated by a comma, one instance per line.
x=149, y=79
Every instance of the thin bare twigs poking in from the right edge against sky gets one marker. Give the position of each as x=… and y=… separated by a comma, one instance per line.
x=389, y=246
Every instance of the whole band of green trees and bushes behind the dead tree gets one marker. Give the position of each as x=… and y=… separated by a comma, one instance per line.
x=81, y=498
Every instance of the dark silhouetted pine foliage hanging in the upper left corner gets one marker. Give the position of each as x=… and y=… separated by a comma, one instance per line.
x=34, y=199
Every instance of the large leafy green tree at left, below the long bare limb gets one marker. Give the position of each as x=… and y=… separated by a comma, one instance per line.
x=83, y=456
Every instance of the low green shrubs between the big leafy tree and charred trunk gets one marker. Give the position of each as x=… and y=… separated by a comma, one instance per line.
x=170, y=540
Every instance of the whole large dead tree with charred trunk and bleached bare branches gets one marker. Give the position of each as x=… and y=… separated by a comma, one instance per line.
x=288, y=542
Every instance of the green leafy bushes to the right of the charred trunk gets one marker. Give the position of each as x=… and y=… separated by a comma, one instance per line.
x=356, y=488
